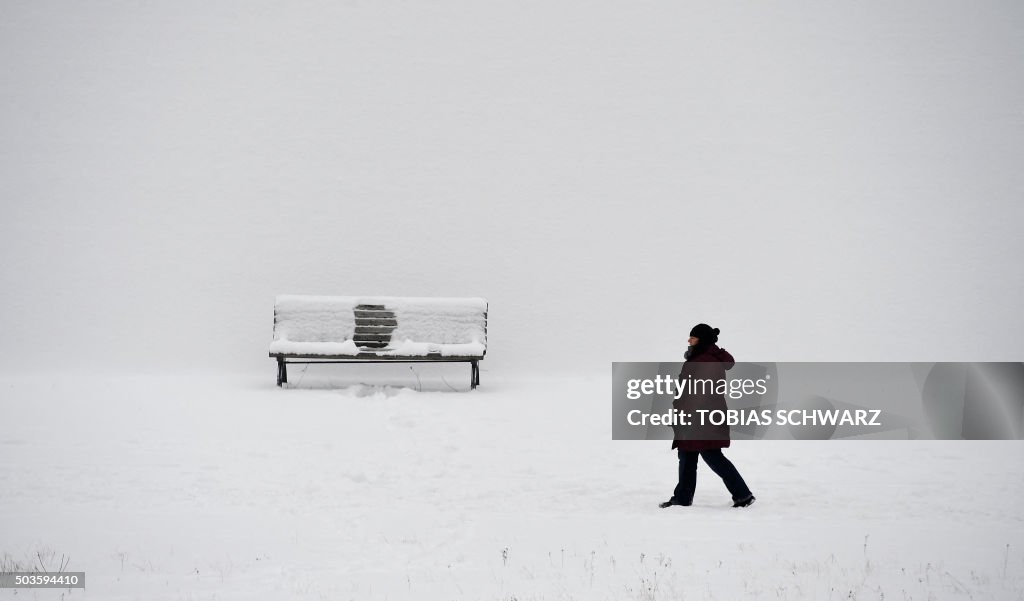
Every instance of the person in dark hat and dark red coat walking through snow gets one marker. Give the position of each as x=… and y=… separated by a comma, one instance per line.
x=705, y=360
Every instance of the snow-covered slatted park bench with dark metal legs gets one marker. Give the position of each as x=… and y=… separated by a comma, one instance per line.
x=368, y=329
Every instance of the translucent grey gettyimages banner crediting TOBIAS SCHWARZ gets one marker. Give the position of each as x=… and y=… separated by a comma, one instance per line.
x=807, y=401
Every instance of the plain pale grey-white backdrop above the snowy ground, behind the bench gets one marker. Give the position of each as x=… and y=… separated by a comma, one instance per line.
x=824, y=182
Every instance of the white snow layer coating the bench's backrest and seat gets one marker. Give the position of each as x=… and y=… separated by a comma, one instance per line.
x=326, y=326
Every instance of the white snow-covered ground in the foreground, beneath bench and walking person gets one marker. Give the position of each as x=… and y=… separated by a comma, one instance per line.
x=228, y=488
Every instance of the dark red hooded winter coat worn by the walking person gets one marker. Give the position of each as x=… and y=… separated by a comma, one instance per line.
x=710, y=364
